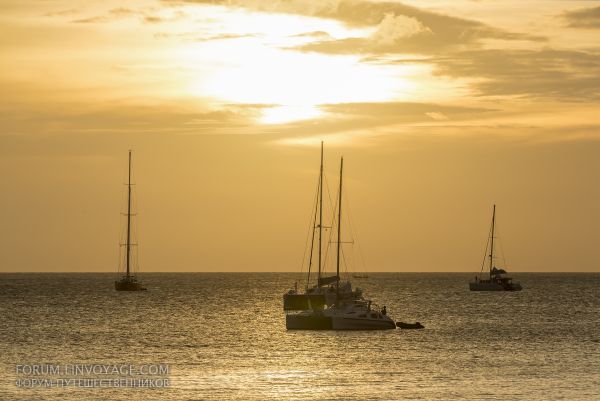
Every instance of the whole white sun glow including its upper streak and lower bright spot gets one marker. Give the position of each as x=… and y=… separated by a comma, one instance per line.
x=260, y=67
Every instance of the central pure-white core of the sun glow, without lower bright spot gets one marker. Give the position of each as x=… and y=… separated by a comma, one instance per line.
x=260, y=74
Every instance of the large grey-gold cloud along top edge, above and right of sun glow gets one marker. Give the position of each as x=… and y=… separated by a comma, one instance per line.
x=398, y=28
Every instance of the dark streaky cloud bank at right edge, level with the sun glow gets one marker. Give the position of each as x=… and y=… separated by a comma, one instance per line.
x=559, y=74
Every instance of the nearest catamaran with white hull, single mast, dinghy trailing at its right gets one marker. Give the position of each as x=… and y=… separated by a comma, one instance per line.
x=357, y=314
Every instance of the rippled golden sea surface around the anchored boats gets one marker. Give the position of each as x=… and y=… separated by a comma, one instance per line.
x=224, y=338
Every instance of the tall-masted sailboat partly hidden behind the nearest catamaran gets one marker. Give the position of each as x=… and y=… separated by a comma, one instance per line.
x=328, y=288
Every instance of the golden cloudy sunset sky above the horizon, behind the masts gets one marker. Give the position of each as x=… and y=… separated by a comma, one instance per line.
x=441, y=108
